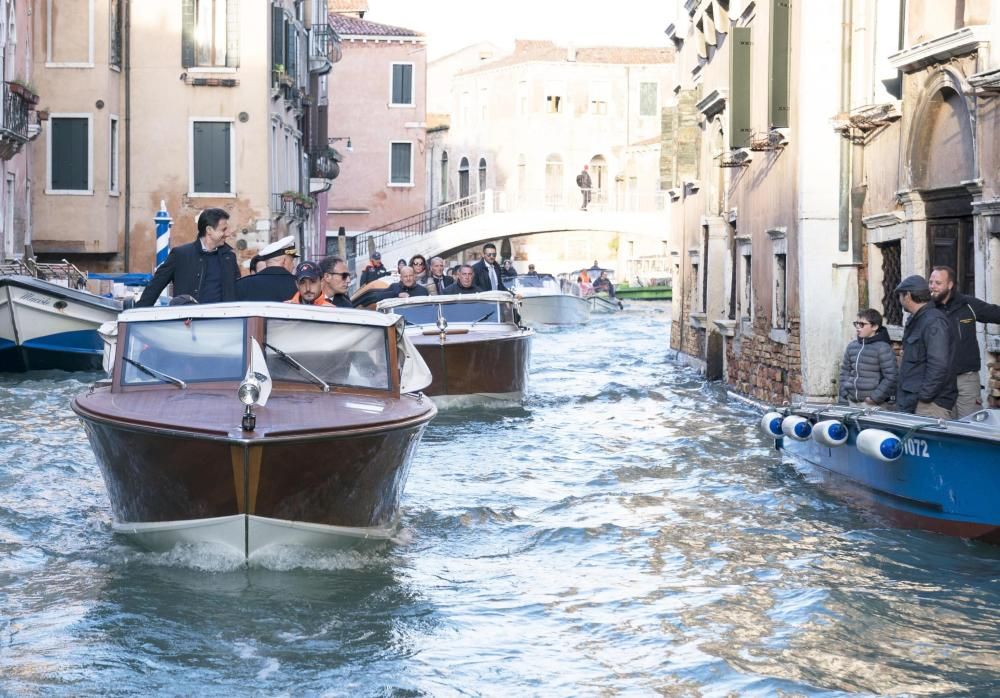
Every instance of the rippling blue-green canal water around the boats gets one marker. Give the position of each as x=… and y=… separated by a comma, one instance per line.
x=626, y=532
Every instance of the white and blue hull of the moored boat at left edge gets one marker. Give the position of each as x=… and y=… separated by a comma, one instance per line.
x=45, y=326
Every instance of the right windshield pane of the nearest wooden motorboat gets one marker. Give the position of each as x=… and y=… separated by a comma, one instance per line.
x=338, y=354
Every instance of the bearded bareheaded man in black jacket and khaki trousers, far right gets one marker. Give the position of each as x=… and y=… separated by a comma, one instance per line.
x=964, y=312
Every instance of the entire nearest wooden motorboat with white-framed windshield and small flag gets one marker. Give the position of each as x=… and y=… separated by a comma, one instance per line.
x=256, y=424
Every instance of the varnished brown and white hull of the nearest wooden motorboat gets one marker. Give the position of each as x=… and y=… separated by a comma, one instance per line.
x=327, y=490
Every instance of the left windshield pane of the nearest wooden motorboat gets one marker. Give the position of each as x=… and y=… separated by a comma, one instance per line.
x=194, y=350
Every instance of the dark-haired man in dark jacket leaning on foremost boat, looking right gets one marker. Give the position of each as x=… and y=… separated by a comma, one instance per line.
x=205, y=269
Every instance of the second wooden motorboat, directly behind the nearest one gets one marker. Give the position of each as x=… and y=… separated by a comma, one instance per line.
x=476, y=351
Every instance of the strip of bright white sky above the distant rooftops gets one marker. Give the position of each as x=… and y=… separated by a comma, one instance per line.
x=453, y=24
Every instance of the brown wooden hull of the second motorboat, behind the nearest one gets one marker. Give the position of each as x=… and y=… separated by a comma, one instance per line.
x=476, y=369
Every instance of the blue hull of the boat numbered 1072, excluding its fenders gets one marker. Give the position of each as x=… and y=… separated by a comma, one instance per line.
x=944, y=482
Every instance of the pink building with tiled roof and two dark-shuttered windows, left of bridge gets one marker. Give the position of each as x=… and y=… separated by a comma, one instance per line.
x=377, y=122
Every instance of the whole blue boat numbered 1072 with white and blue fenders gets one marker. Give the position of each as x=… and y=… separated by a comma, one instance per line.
x=916, y=472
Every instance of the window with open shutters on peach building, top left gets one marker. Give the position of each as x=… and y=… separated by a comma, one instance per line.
x=210, y=33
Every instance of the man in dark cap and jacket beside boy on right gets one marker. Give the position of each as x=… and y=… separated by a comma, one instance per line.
x=926, y=380
